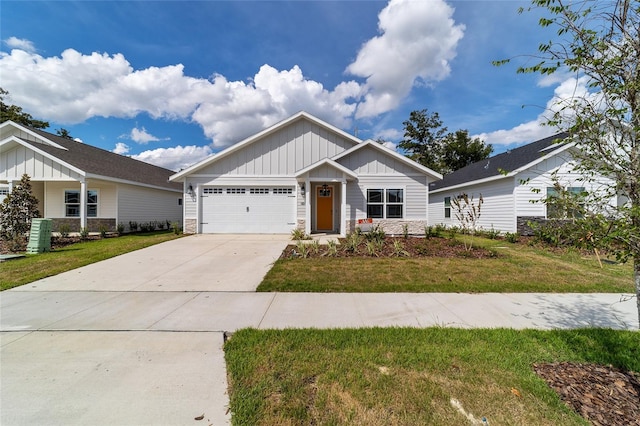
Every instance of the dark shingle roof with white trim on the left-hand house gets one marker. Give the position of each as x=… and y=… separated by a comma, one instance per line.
x=94, y=162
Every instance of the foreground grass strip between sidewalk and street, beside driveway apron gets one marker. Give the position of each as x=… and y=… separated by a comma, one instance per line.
x=408, y=376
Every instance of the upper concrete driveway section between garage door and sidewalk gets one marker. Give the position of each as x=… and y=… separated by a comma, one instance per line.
x=194, y=263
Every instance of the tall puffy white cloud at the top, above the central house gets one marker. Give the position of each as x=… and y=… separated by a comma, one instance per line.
x=418, y=41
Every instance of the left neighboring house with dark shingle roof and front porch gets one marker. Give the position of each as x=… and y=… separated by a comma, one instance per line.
x=84, y=186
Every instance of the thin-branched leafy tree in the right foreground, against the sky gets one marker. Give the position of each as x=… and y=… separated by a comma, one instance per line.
x=599, y=45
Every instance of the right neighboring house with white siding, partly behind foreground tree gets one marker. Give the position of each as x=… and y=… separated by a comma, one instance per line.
x=512, y=185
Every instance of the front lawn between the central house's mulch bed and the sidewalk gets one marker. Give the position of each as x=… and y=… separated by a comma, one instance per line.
x=517, y=268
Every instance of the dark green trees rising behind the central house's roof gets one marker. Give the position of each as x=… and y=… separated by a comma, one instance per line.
x=427, y=142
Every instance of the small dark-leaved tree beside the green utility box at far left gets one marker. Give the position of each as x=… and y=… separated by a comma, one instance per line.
x=16, y=212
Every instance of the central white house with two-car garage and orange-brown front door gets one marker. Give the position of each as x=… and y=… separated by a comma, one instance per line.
x=304, y=173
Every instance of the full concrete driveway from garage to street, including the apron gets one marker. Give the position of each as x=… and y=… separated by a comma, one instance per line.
x=133, y=340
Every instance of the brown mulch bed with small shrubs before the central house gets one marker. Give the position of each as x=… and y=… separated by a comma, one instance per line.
x=407, y=247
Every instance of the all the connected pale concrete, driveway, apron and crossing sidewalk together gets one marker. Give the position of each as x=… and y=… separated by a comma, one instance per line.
x=137, y=339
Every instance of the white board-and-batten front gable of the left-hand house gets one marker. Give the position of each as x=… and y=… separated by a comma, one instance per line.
x=21, y=160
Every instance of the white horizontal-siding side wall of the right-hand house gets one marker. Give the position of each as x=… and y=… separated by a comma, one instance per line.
x=496, y=211
